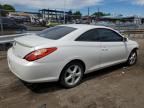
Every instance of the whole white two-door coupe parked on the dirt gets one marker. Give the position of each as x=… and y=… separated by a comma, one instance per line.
x=65, y=53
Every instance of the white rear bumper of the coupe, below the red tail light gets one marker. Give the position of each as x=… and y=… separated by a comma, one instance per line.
x=33, y=72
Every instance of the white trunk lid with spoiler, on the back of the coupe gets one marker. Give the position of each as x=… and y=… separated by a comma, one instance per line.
x=26, y=44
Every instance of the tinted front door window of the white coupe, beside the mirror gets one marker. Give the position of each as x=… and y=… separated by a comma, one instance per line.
x=106, y=35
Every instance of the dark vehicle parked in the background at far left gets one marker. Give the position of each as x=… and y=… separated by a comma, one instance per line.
x=11, y=27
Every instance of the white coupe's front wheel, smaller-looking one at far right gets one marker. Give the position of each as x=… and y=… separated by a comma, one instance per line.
x=132, y=58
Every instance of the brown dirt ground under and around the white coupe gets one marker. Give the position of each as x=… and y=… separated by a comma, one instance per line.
x=114, y=87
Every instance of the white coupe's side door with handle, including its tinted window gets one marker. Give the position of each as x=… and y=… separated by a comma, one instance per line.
x=113, y=48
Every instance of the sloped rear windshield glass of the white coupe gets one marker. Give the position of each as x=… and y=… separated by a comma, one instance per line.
x=56, y=33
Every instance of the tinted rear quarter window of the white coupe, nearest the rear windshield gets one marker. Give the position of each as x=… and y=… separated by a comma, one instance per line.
x=91, y=35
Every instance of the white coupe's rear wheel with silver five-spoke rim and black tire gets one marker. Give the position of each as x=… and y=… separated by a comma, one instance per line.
x=71, y=75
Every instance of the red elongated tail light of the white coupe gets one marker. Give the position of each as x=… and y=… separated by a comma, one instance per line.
x=39, y=54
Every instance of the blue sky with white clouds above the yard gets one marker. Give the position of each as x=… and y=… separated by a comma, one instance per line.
x=115, y=7
